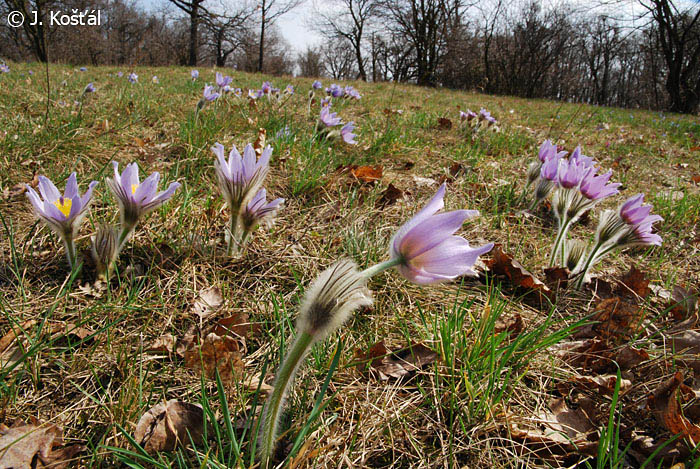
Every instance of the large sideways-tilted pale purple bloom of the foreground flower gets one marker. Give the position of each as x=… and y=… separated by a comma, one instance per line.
x=426, y=248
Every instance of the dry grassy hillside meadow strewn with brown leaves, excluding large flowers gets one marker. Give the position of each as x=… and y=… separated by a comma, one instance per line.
x=511, y=368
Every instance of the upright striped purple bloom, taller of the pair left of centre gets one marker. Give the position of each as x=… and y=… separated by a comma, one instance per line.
x=241, y=176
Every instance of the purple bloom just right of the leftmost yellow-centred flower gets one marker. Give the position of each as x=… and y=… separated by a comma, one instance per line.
x=136, y=198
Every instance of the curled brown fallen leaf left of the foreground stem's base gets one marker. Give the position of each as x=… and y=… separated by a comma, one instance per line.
x=164, y=427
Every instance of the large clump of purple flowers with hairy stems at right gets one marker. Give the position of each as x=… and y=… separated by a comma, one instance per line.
x=577, y=186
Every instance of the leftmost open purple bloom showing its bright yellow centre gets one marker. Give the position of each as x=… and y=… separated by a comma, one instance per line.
x=62, y=213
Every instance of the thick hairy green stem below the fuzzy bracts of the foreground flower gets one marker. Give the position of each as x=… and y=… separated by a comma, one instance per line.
x=273, y=407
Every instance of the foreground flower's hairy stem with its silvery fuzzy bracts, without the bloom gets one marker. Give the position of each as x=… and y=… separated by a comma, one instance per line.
x=328, y=303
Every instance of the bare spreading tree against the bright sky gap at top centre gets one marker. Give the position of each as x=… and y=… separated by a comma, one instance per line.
x=348, y=20
